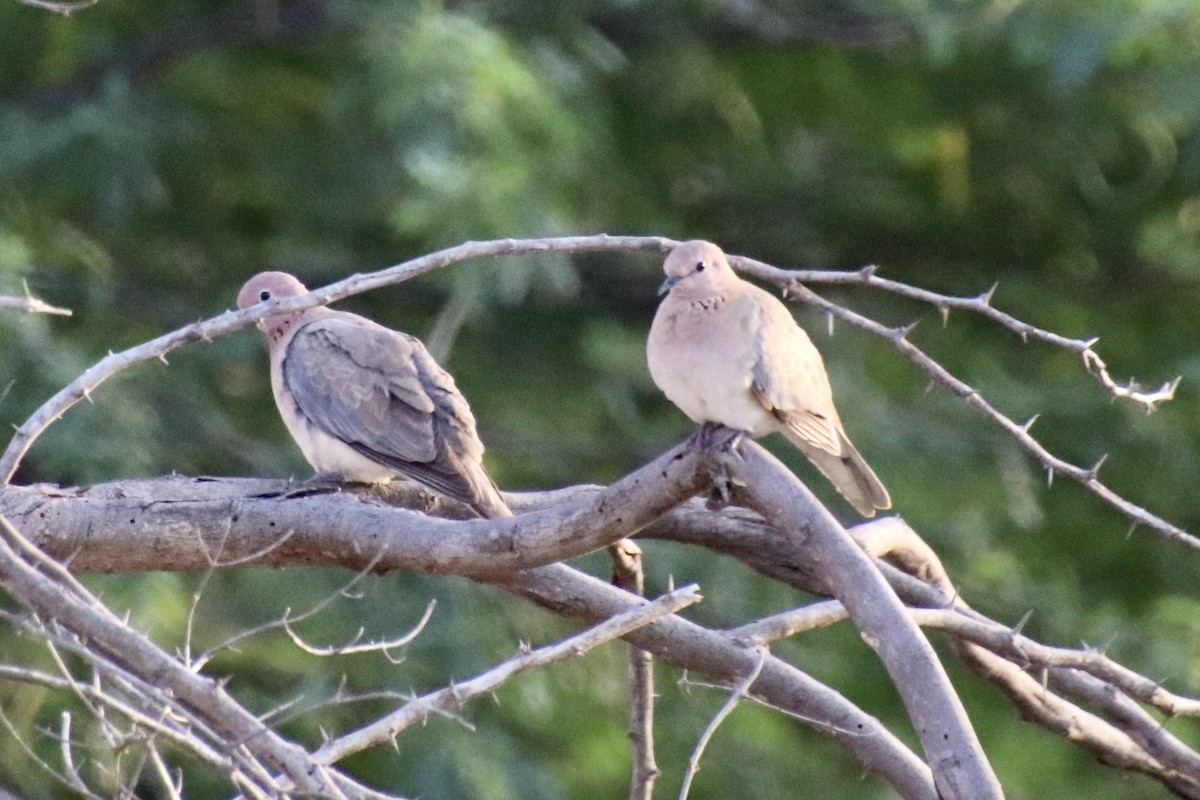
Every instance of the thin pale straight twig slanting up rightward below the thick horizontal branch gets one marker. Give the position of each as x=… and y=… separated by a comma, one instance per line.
x=388, y=727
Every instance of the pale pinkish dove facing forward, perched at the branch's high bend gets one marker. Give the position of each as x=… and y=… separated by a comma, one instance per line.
x=727, y=352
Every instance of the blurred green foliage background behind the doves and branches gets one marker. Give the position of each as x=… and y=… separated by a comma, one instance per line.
x=153, y=157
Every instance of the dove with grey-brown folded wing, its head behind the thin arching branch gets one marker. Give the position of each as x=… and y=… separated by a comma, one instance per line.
x=365, y=402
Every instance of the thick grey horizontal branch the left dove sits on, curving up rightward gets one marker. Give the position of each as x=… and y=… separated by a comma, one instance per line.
x=92, y=531
